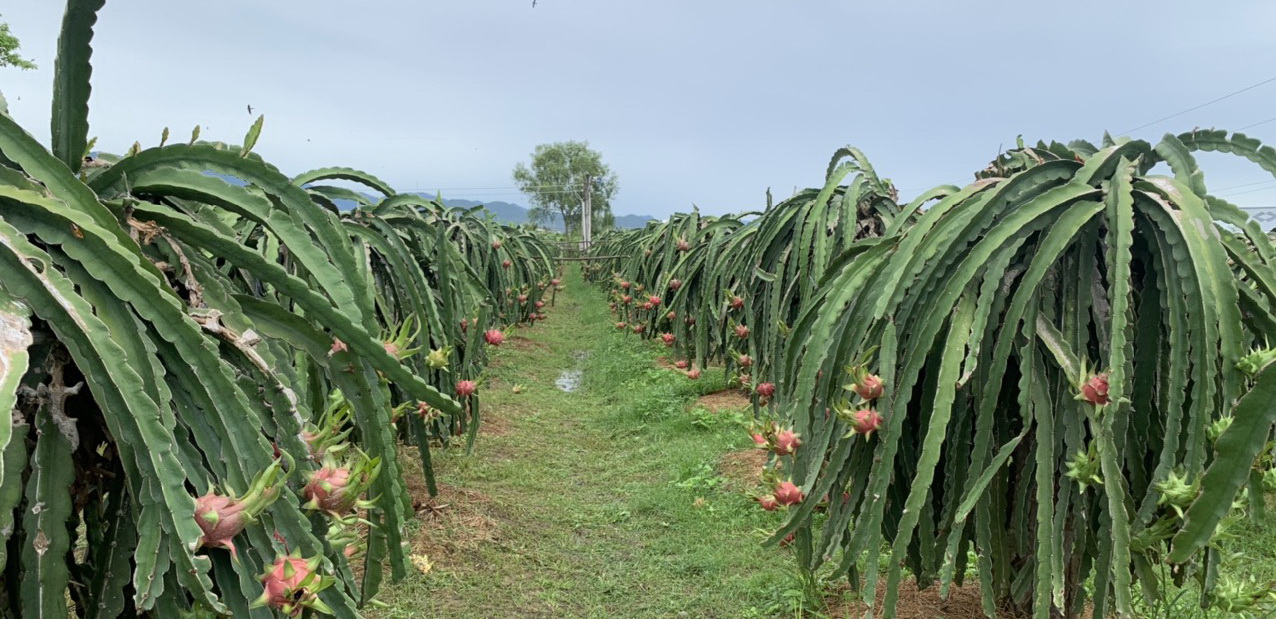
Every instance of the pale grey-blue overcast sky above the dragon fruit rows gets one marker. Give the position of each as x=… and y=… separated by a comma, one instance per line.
x=692, y=103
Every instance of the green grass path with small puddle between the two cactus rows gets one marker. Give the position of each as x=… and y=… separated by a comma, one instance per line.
x=603, y=503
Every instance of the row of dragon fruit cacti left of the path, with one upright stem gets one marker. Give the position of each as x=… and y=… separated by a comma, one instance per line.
x=212, y=369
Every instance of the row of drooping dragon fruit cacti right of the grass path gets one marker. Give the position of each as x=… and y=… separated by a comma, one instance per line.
x=1058, y=372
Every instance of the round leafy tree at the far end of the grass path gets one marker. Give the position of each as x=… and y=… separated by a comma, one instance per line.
x=556, y=184
